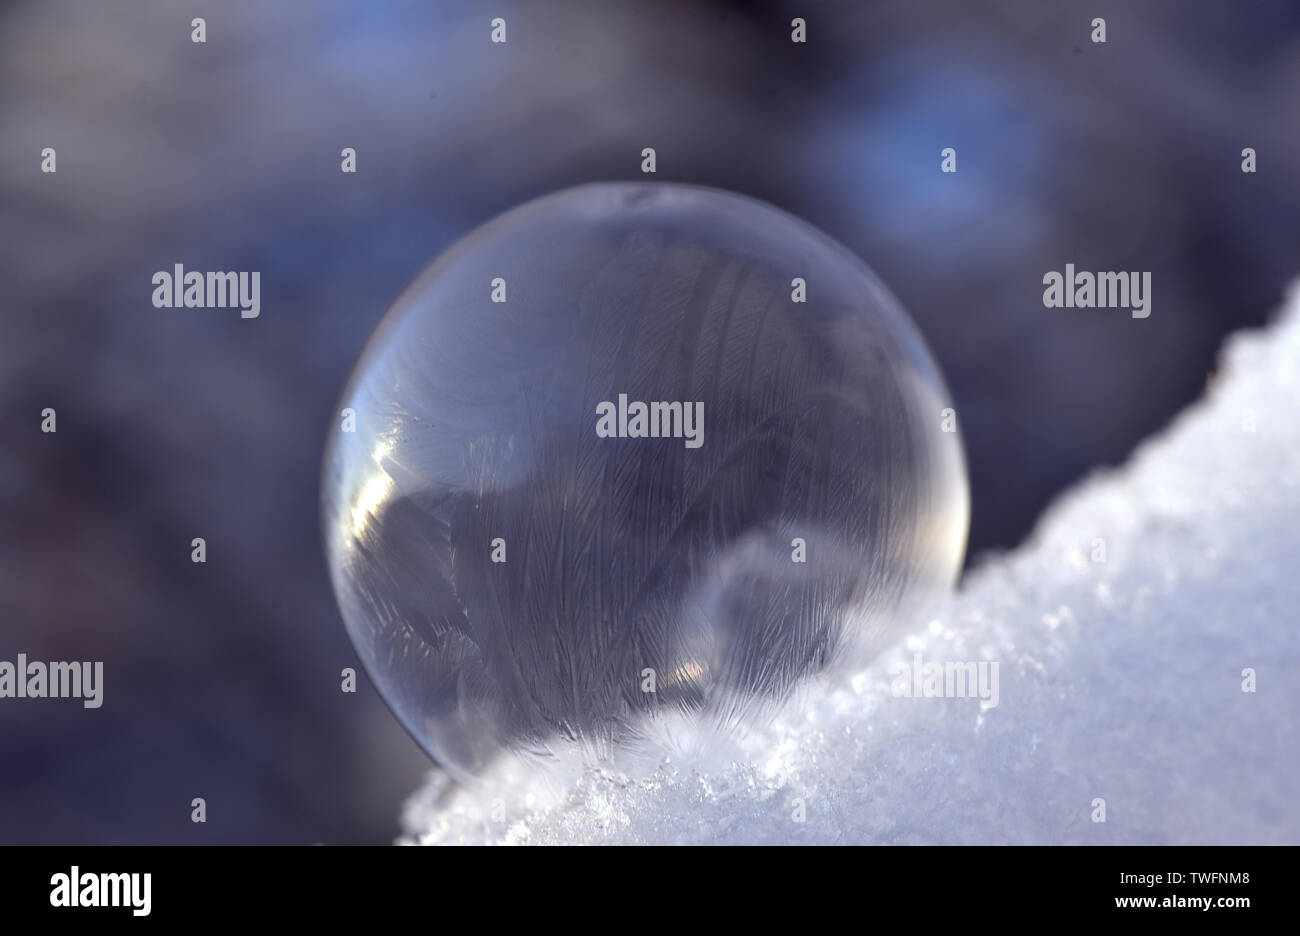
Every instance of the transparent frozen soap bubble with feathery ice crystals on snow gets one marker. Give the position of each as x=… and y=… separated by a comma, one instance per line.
x=635, y=456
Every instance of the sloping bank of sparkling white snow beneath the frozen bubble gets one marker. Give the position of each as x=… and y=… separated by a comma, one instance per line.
x=1119, y=681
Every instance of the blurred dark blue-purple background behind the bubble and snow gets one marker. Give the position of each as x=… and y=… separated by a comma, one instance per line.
x=223, y=679
